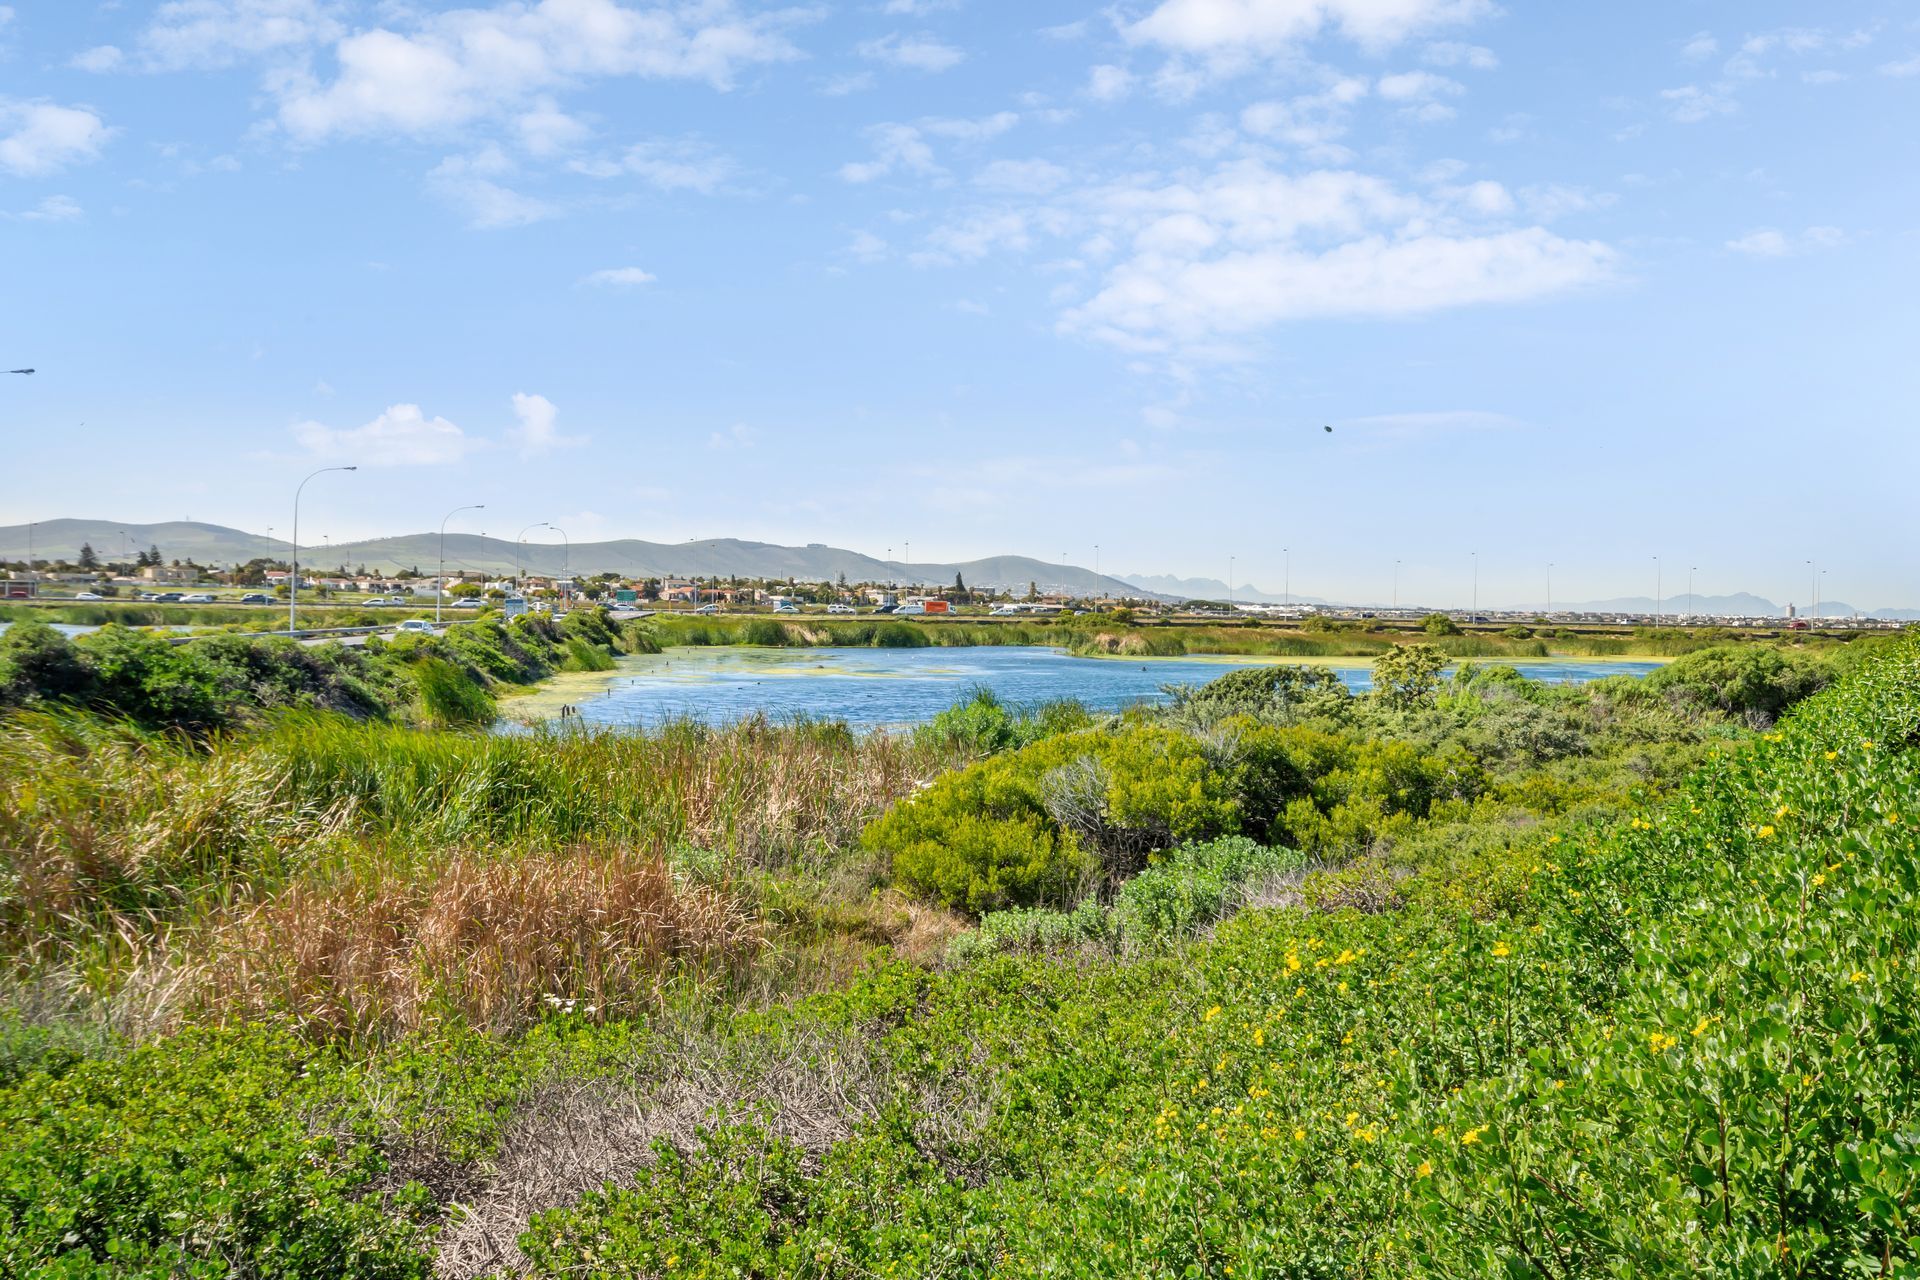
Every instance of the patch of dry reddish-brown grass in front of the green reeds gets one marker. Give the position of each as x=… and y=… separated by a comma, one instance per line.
x=496, y=943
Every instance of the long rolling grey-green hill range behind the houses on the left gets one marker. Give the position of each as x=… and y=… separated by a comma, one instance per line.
x=725, y=557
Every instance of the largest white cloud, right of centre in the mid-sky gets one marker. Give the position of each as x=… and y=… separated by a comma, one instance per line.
x=1197, y=264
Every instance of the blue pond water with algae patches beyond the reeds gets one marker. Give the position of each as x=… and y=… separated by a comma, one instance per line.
x=907, y=686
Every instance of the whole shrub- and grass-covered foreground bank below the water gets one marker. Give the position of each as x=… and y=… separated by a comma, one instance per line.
x=1477, y=978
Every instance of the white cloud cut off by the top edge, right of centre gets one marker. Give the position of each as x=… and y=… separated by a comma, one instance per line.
x=1237, y=28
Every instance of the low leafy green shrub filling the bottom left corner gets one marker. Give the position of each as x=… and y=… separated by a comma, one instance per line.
x=197, y=1156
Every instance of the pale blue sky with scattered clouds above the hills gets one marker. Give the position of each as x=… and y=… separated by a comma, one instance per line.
x=1579, y=285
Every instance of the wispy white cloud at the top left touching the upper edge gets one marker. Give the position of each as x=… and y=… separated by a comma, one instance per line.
x=464, y=66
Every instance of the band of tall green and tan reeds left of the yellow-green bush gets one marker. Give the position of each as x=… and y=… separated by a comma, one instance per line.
x=101, y=822
